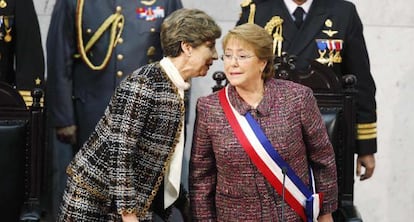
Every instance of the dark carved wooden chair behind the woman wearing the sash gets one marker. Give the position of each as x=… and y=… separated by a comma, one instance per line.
x=336, y=100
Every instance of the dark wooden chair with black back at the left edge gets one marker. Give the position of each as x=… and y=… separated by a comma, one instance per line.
x=22, y=149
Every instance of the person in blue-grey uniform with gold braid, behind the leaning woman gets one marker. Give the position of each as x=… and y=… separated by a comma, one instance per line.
x=91, y=47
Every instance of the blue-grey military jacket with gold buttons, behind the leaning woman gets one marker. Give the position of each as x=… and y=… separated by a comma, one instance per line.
x=78, y=94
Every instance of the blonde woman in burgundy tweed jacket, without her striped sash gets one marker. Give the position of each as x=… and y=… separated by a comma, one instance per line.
x=225, y=185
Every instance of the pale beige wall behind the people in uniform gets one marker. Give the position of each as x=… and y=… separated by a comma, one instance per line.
x=389, y=32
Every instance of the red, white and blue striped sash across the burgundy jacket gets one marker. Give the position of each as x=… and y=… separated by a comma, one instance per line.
x=306, y=203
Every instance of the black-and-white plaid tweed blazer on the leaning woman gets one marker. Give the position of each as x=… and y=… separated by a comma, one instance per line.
x=120, y=167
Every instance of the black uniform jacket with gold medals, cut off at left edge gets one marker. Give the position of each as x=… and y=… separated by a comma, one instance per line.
x=21, y=52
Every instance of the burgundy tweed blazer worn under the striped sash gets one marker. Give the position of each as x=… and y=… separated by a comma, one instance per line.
x=226, y=186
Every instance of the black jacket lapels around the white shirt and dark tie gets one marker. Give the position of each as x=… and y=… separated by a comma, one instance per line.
x=297, y=40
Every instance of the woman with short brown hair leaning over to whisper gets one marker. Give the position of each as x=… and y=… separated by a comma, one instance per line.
x=137, y=146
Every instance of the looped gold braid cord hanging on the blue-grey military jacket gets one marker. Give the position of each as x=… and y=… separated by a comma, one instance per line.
x=115, y=21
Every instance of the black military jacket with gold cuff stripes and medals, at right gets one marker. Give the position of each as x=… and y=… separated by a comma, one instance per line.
x=328, y=24
